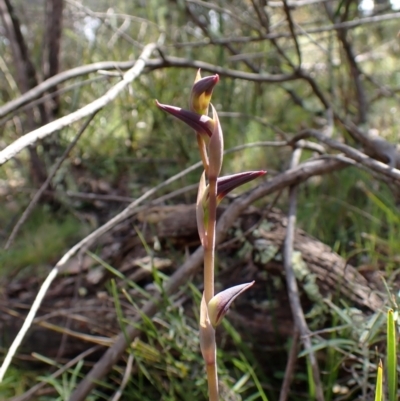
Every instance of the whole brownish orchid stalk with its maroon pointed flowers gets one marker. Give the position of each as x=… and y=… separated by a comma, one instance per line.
x=212, y=189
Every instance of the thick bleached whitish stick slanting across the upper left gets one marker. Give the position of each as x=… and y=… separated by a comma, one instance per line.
x=40, y=133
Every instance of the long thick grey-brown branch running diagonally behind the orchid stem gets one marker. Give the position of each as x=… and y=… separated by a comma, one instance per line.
x=192, y=265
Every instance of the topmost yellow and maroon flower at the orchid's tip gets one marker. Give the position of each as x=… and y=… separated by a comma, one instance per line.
x=200, y=96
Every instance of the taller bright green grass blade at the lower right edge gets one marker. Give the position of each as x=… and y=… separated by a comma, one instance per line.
x=391, y=357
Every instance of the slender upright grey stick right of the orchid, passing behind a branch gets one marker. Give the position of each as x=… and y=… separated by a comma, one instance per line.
x=293, y=291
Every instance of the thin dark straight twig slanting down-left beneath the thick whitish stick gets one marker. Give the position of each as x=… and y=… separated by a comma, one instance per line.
x=44, y=186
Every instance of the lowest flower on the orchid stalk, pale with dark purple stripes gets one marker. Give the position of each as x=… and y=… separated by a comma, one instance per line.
x=220, y=303
